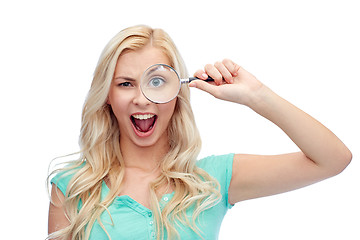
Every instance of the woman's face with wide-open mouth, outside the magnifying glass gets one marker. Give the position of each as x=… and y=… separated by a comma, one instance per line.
x=141, y=122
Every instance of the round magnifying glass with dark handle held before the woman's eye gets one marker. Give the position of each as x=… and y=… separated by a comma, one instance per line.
x=160, y=83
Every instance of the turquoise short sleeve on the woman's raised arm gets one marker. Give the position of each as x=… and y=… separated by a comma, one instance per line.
x=220, y=168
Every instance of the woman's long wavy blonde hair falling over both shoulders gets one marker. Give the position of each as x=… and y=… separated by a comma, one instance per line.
x=101, y=158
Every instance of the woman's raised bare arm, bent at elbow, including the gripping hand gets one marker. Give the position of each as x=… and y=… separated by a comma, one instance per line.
x=322, y=154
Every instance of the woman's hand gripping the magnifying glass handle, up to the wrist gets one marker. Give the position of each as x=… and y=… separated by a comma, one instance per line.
x=231, y=82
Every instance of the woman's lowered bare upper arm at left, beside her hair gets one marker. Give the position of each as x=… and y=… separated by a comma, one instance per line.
x=57, y=217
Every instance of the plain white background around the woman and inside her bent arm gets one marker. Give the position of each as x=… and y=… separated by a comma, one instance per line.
x=306, y=51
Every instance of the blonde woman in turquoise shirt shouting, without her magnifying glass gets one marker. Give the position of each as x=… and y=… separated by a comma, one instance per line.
x=138, y=176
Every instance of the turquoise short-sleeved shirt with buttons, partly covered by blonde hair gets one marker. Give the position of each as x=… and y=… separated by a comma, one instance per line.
x=132, y=220
